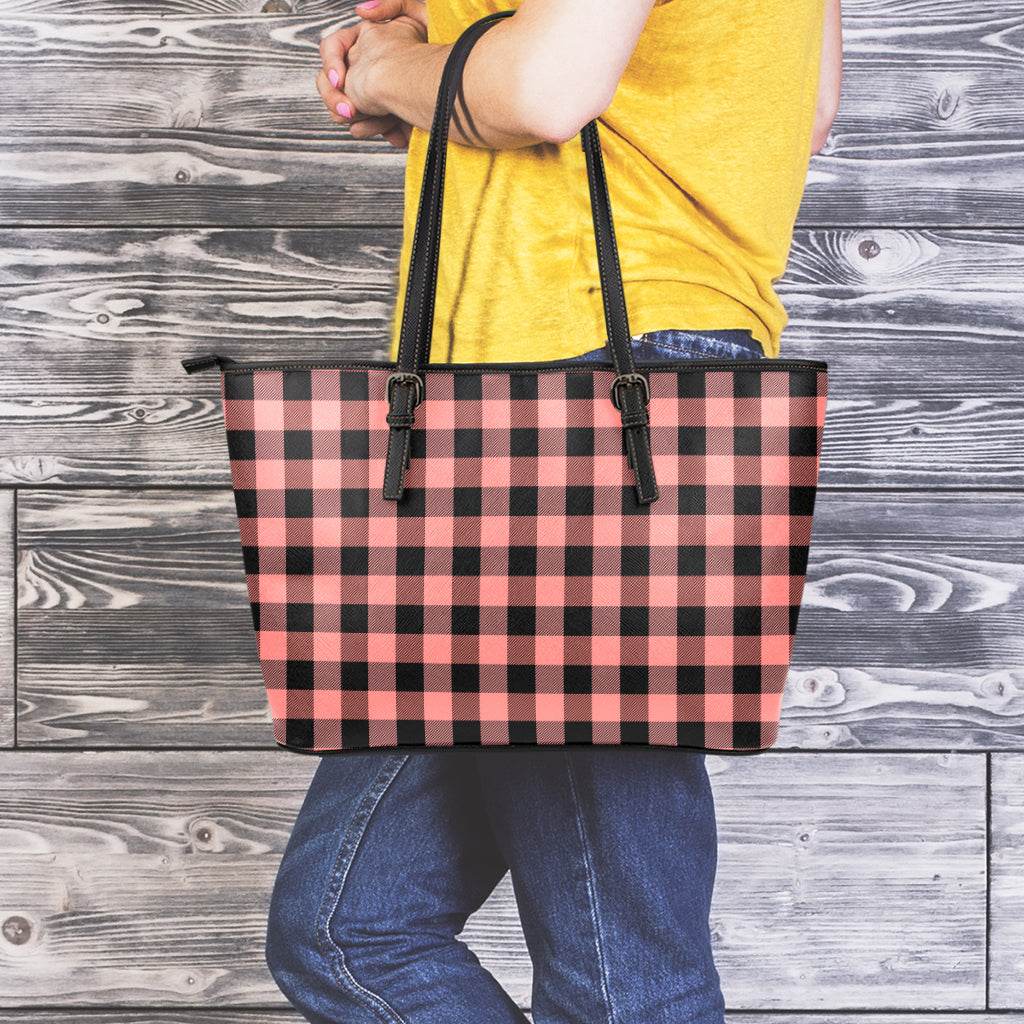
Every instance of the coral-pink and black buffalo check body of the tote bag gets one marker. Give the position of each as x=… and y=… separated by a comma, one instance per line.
x=519, y=594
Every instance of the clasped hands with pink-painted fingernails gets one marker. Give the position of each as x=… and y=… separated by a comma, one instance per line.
x=351, y=57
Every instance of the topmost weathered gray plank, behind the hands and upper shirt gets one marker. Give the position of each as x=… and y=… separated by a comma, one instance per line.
x=225, y=126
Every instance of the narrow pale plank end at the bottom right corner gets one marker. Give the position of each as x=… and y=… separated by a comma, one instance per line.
x=1006, y=934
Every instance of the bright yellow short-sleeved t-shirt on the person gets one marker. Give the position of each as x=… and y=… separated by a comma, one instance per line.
x=706, y=144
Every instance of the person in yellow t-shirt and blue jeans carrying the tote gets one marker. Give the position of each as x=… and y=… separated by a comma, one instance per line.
x=709, y=114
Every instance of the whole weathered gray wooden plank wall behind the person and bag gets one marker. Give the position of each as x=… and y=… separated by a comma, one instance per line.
x=168, y=187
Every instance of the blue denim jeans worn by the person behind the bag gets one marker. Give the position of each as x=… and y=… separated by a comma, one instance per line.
x=612, y=851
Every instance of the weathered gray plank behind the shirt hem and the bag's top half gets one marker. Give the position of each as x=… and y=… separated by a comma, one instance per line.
x=94, y=393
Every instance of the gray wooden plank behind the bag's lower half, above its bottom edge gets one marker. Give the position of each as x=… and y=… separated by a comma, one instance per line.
x=135, y=627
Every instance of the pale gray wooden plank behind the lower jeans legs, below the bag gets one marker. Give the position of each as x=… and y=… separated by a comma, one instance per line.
x=843, y=881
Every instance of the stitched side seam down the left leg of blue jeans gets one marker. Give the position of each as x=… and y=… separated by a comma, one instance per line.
x=339, y=875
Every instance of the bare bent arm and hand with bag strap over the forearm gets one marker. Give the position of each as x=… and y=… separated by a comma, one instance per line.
x=538, y=77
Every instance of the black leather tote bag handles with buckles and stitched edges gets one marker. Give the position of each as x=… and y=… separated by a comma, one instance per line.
x=406, y=387
